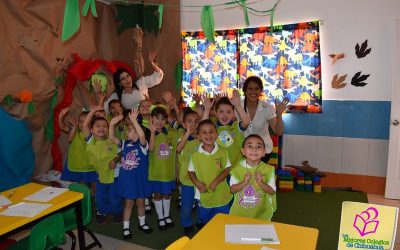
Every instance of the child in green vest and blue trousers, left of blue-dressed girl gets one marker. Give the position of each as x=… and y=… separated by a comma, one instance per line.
x=103, y=156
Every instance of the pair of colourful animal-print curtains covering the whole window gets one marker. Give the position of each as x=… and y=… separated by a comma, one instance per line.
x=286, y=59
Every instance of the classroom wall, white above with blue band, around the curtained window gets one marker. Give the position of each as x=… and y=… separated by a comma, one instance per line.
x=351, y=136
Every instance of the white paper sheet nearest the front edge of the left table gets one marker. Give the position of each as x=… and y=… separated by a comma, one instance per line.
x=25, y=209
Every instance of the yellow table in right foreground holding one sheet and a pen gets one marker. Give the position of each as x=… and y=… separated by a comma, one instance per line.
x=212, y=235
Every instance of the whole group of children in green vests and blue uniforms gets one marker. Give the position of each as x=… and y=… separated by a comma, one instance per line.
x=144, y=152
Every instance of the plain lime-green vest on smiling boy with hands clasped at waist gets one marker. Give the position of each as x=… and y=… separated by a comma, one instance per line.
x=207, y=168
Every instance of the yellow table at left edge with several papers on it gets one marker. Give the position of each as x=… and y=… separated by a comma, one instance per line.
x=10, y=225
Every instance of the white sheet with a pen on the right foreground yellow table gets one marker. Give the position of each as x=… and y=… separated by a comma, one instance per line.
x=251, y=234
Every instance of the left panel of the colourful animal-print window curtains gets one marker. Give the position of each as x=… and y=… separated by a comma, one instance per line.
x=208, y=67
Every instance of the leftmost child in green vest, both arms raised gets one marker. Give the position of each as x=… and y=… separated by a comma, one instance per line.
x=77, y=168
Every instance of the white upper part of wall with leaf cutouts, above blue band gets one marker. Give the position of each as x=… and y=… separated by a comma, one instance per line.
x=343, y=24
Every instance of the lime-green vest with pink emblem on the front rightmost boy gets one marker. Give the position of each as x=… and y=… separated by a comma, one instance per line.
x=252, y=201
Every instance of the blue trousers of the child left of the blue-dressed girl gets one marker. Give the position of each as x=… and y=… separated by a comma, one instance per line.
x=107, y=199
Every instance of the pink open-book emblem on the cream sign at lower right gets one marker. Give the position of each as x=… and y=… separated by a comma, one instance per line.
x=365, y=222
